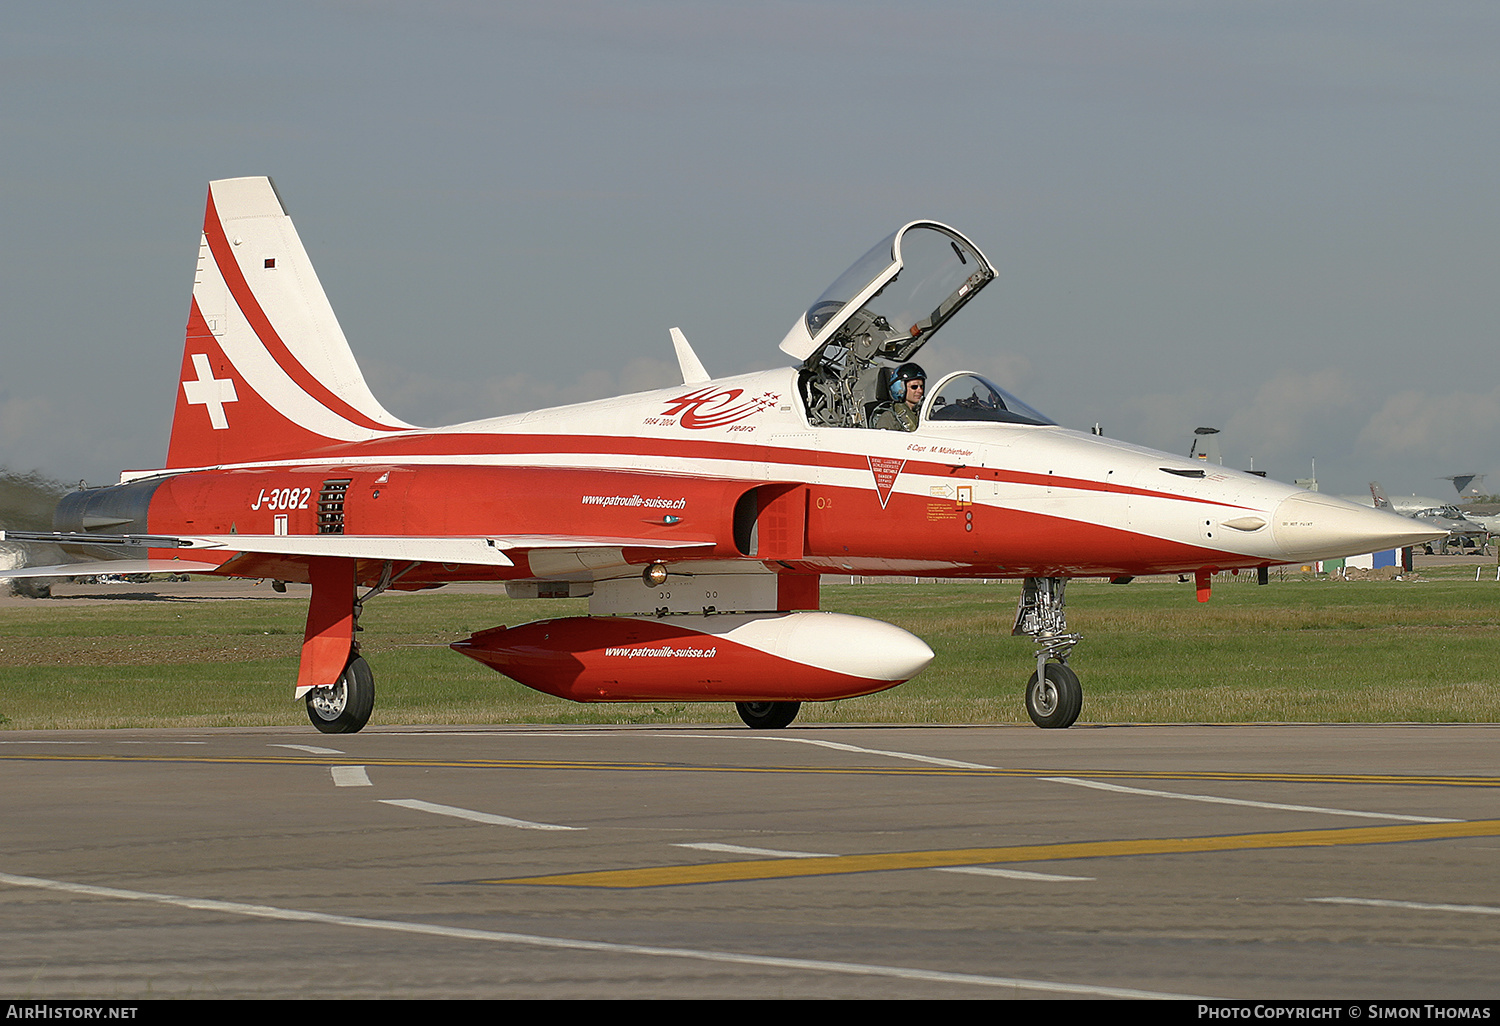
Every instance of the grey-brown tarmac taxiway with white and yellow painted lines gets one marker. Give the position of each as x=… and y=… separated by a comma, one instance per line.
x=892, y=862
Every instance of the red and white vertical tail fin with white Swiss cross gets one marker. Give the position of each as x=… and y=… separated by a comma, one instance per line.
x=266, y=370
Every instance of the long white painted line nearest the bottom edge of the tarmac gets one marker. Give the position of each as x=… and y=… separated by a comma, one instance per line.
x=497, y=937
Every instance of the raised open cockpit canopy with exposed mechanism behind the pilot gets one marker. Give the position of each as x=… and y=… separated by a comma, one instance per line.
x=878, y=316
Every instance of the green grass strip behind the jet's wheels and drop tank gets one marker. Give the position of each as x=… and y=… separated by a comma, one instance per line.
x=1298, y=650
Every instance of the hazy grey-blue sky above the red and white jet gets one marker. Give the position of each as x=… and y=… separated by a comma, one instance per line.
x=1273, y=218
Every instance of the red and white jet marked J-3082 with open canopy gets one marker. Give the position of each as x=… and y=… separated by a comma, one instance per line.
x=698, y=520
